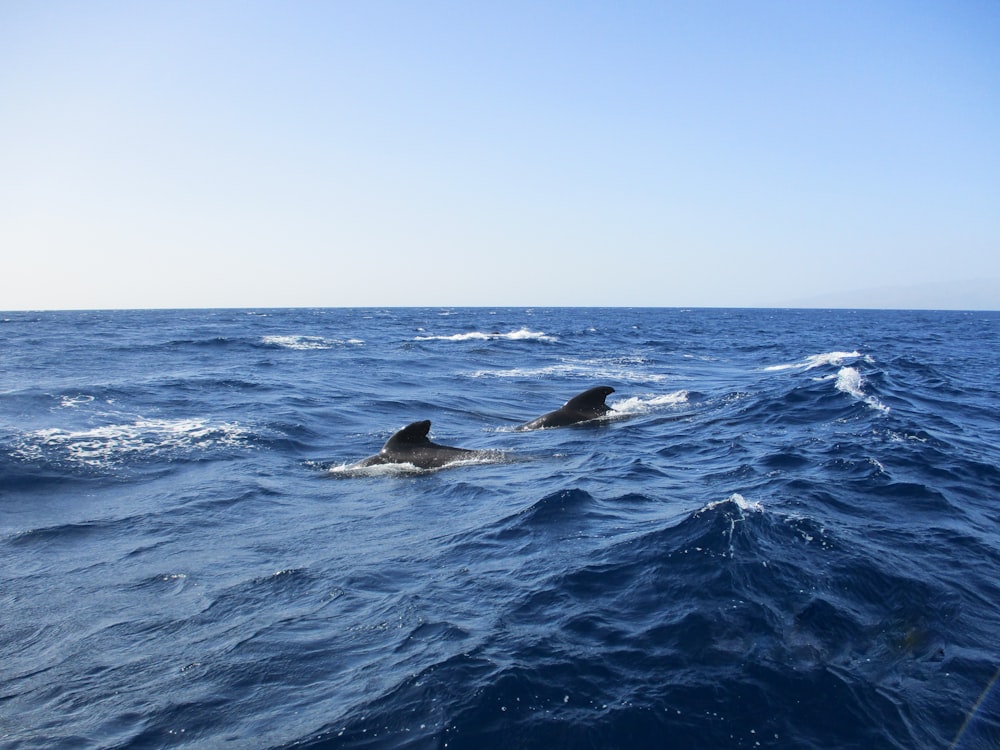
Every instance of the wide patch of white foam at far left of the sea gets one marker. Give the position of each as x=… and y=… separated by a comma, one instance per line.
x=112, y=444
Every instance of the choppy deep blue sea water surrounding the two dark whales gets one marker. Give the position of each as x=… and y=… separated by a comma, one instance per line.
x=784, y=535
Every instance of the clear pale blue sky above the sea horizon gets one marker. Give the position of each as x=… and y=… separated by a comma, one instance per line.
x=369, y=153
